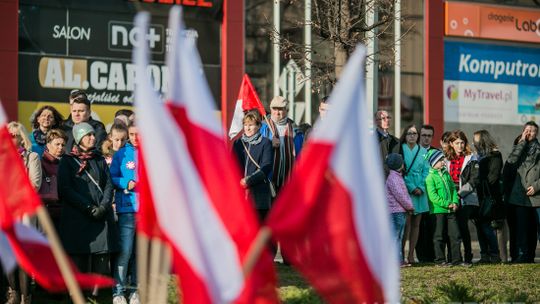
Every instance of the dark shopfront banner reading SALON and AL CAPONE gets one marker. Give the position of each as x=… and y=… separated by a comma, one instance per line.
x=87, y=45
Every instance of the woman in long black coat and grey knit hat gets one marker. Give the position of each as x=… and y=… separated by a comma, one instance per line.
x=87, y=228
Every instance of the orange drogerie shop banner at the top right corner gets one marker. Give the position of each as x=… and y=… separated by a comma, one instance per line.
x=492, y=22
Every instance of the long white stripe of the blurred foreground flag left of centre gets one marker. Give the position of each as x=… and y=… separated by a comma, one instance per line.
x=182, y=205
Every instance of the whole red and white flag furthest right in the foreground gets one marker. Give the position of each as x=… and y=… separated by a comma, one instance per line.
x=332, y=219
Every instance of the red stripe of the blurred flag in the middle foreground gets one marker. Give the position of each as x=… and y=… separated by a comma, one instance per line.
x=220, y=175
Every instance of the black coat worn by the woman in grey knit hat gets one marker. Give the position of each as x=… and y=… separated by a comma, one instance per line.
x=79, y=231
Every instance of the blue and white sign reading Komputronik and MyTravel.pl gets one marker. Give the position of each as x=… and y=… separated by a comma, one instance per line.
x=491, y=84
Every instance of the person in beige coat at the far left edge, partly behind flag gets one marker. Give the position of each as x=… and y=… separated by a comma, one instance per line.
x=19, y=285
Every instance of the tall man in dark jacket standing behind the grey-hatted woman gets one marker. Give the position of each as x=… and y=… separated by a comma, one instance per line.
x=80, y=110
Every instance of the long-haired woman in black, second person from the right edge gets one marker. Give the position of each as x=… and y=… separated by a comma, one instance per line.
x=489, y=173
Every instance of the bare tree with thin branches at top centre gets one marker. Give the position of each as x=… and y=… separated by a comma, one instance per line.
x=338, y=26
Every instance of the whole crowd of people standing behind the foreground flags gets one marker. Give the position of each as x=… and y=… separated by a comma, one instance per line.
x=87, y=180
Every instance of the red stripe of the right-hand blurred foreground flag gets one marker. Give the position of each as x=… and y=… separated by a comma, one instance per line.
x=317, y=233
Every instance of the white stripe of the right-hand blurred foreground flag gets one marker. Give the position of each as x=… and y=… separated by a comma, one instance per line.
x=365, y=179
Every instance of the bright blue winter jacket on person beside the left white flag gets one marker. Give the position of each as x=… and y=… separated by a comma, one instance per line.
x=124, y=170
